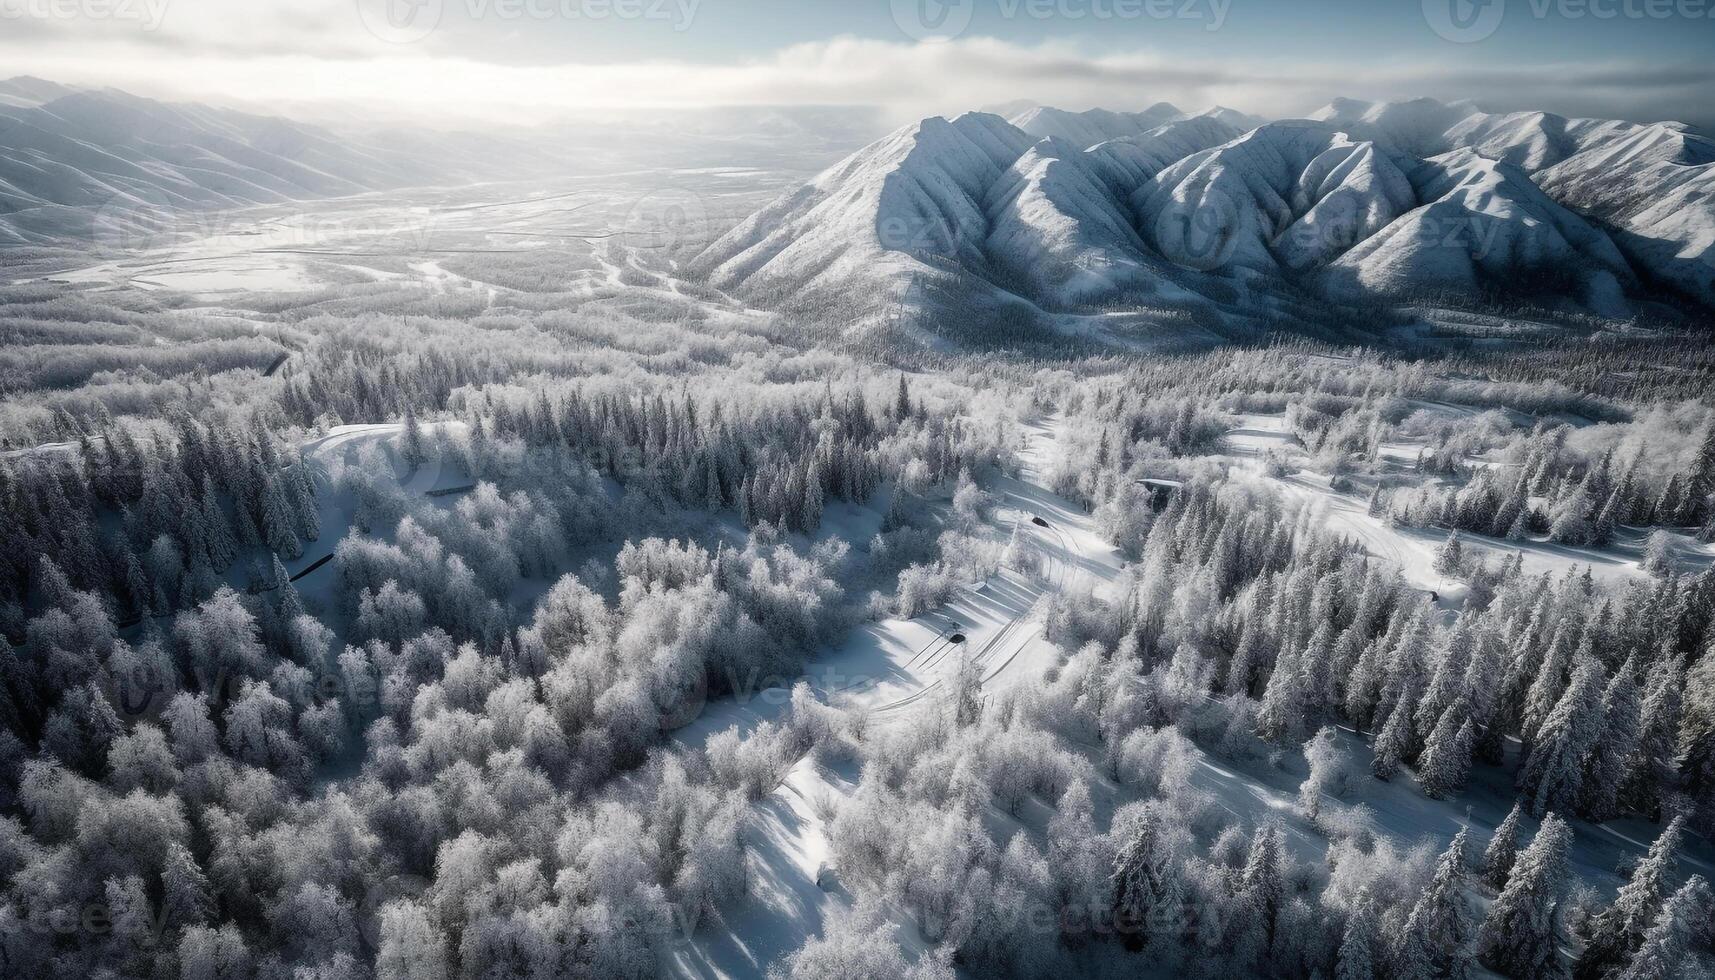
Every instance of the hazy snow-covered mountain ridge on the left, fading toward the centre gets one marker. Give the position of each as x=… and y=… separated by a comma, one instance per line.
x=81, y=166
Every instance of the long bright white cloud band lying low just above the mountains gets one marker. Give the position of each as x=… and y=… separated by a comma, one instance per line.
x=304, y=54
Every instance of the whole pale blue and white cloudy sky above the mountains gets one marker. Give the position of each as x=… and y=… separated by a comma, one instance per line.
x=522, y=61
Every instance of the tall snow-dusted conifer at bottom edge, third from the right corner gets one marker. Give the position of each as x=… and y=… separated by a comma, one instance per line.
x=1520, y=935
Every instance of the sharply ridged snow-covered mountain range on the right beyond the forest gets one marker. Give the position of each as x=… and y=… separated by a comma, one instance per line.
x=1073, y=217
